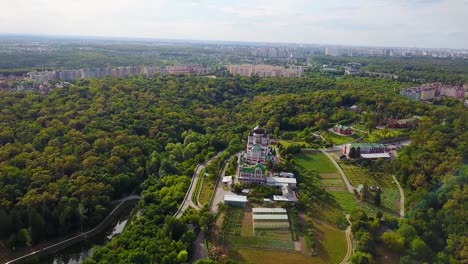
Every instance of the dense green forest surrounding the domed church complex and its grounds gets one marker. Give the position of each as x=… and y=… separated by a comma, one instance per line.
x=65, y=156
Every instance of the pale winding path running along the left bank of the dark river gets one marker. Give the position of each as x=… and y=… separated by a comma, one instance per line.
x=70, y=241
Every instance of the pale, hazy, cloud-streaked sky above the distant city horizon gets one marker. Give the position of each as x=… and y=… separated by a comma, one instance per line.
x=394, y=23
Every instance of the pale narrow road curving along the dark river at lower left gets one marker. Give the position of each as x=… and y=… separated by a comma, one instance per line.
x=83, y=235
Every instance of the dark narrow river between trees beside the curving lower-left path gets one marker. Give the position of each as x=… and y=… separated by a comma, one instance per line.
x=81, y=251
